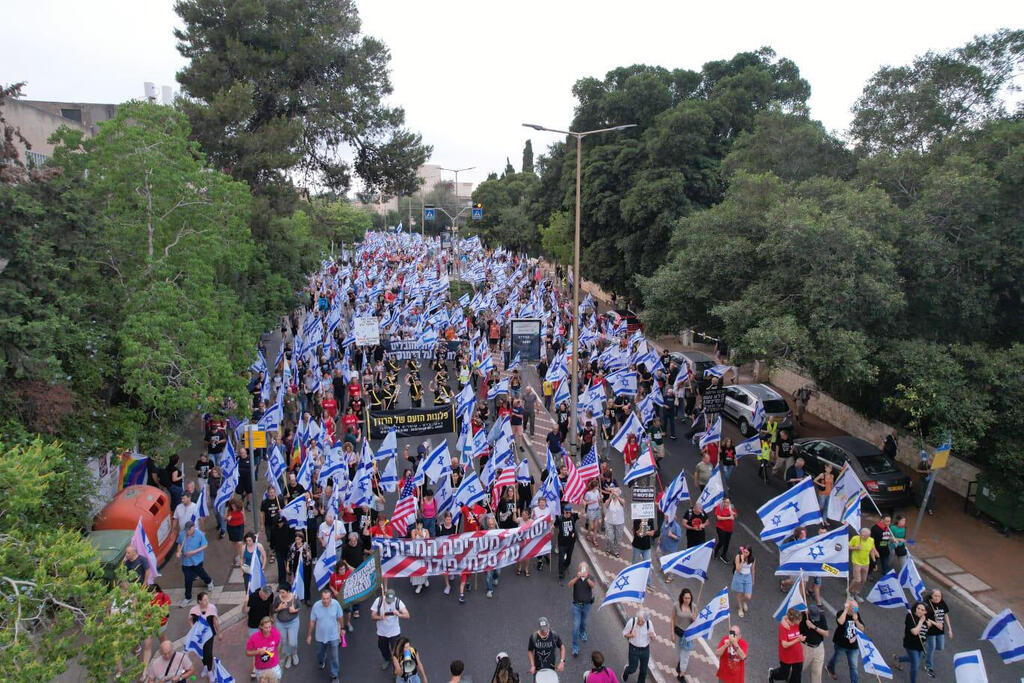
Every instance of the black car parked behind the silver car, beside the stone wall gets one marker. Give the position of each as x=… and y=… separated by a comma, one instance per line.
x=885, y=482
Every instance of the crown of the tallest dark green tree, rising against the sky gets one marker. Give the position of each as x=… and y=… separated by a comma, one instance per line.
x=275, y=87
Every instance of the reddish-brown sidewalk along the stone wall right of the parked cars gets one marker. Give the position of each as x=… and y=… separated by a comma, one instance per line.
x=959, y=552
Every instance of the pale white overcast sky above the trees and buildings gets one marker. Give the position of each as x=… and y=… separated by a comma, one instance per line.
x=470, y=73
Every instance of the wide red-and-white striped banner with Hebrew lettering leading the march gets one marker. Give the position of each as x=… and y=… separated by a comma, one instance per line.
x=474, y=552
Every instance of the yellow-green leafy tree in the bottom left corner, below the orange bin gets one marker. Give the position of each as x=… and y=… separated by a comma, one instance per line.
x=56, y=605
